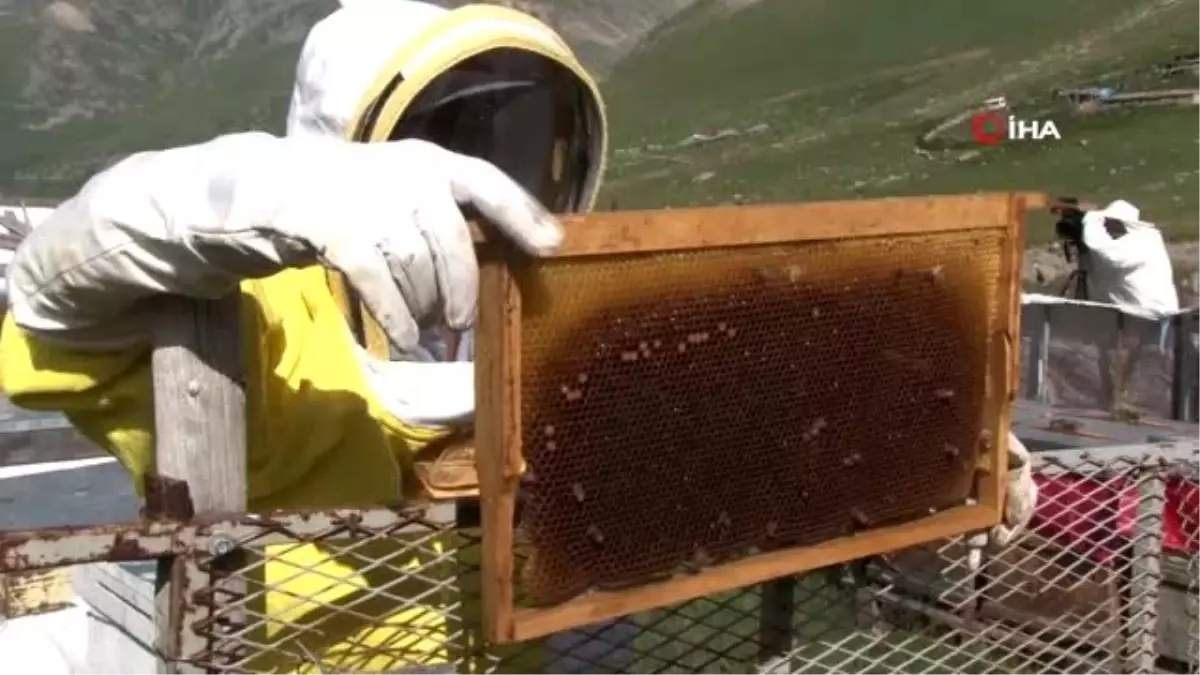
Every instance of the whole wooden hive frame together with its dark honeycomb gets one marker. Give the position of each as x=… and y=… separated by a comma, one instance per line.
x=683, y=403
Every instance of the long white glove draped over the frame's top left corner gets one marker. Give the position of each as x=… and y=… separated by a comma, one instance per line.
x=197, y=220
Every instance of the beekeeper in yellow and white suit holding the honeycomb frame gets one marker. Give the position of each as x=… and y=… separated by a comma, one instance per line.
x=491, y=112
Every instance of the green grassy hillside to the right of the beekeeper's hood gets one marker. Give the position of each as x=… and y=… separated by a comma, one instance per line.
x=836, y=94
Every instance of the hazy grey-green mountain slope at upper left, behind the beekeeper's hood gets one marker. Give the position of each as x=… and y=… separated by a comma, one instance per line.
x=87, y=81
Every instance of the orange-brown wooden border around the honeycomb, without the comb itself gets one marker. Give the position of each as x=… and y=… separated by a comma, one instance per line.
x=604, y=236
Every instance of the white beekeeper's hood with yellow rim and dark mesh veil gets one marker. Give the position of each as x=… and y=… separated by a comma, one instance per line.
x=482, y=80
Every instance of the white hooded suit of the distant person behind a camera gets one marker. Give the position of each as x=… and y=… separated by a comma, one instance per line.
x=1130, y=268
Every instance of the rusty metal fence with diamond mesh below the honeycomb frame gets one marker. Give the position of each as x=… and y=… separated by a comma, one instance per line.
x=1105, y=582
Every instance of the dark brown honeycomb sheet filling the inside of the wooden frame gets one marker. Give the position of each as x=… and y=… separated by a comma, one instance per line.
x=686, y=410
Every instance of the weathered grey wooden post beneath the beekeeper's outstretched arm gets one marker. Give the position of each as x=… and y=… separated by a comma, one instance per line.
x=200, y=447
